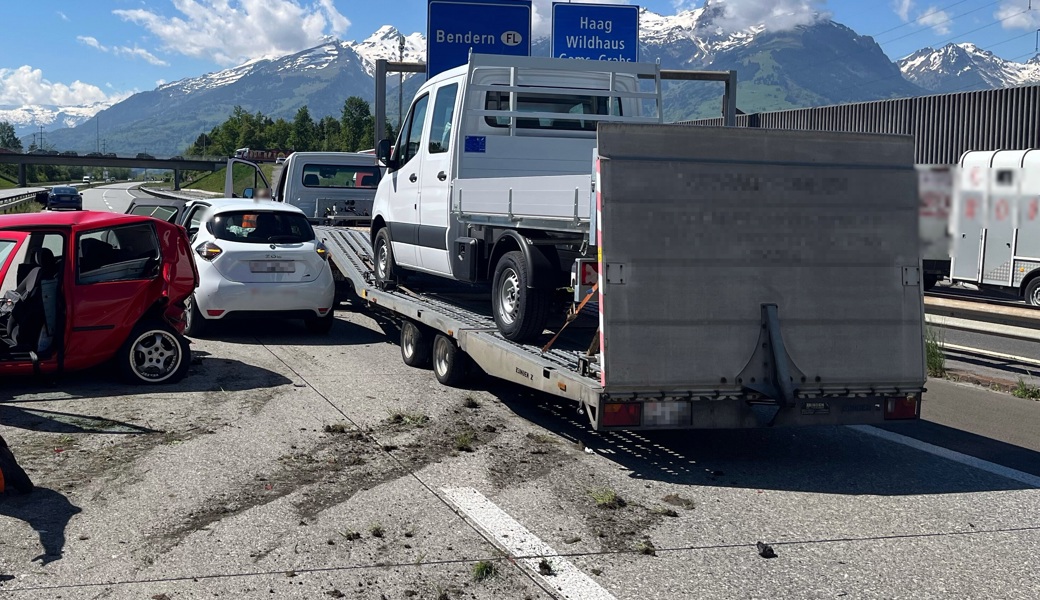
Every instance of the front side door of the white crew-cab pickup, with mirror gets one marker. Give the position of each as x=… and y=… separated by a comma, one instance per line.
x=404, y=201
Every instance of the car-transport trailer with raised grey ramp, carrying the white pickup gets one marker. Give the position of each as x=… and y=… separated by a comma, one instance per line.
x=738, y=279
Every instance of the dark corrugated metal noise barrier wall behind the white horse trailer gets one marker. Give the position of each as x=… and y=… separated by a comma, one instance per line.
x=944, y=126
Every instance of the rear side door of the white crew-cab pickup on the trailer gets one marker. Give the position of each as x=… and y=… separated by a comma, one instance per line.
x=435, y=182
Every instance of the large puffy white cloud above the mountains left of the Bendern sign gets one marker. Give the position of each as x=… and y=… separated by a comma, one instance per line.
x=233, y=32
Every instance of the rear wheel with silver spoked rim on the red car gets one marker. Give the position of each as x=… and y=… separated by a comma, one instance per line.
x=154, y=354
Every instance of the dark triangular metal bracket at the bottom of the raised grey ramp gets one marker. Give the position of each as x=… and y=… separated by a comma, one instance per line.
x=770, y=373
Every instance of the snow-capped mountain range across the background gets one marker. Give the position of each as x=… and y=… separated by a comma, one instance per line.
x=817, y=65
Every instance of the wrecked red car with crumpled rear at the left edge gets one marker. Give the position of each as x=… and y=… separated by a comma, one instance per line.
x=82, y=289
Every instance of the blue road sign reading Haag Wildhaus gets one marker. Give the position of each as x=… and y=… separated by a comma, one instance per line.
x=596, y=32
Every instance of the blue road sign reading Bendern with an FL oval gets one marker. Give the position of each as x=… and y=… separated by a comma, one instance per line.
x=455, y=28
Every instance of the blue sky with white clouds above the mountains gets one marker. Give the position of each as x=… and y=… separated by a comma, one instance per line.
x=70, y=53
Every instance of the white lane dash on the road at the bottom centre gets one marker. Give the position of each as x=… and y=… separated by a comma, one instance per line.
x=516, y=540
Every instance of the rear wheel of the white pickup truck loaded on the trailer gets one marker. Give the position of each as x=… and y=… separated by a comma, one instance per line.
x=521, y=311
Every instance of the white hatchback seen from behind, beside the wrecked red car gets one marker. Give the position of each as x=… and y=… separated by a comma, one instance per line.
x=257, y=258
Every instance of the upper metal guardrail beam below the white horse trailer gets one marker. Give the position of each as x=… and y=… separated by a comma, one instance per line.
x=1017, y=323
